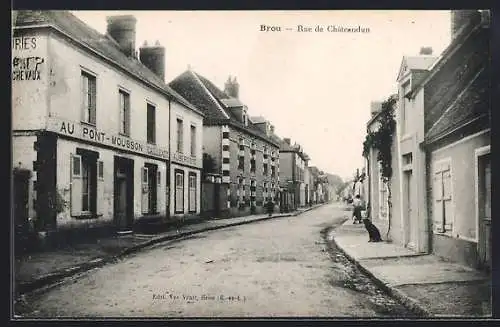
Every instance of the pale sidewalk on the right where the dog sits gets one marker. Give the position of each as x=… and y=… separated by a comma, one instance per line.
x=425, y=283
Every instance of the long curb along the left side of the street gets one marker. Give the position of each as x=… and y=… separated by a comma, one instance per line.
x=53, y=278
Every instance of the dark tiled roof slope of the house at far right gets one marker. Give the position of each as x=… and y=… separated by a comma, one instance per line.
x=473, y=103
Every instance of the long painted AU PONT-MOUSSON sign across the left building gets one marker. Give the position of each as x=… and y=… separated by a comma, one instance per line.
x=89, y=133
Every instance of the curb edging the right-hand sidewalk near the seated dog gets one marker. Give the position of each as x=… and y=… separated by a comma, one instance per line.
x=406, y=300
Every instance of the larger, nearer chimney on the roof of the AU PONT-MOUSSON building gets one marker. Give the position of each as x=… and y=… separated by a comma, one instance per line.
x=122, y=30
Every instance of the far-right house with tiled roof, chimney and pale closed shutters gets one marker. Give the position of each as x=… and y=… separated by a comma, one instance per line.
x=457, y=143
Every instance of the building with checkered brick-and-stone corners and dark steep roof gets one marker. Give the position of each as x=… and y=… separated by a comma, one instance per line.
x=242, y=148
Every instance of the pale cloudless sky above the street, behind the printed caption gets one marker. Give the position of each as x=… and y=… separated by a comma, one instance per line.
x=314, y=87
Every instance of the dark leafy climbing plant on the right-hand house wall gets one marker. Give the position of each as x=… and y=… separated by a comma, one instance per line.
x=381, y=139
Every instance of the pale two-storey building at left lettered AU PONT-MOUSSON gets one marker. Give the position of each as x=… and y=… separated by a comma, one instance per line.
x=91, y=125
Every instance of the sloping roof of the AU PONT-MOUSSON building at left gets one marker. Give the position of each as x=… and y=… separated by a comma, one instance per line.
x=103, y=45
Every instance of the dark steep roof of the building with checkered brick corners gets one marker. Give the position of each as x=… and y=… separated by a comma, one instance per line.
x=214, y=103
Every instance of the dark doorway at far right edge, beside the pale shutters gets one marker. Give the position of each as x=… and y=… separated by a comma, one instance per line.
x=484, y=203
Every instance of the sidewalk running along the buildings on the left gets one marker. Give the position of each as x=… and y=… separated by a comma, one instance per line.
x=45, y=268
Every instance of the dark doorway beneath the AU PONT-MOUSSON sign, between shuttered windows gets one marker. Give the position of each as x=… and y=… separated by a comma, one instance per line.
x=123, y=193
